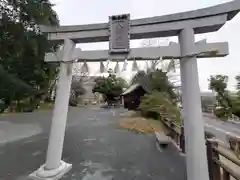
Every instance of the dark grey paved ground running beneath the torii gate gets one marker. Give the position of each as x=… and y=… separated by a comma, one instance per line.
x=96, y=147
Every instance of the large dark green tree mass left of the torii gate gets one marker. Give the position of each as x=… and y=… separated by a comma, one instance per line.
x=23, y=48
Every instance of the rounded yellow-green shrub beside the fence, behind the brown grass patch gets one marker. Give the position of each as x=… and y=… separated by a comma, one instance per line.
x=158, y=105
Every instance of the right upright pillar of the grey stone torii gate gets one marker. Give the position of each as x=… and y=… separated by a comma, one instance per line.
x=196, y=160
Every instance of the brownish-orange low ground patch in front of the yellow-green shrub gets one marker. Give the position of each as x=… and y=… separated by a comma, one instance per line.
x=142, y=125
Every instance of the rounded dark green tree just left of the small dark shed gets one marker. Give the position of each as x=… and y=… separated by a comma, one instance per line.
x=111, y=86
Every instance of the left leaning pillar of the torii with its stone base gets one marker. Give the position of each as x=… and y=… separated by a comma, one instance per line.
x=54, y=168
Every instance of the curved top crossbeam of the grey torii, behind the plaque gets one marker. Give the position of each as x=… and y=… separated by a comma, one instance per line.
x=202, y=21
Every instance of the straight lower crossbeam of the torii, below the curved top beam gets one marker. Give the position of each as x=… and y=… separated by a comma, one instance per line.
x=172, y=51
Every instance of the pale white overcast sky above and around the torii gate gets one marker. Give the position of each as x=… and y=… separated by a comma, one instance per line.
x=76, y=12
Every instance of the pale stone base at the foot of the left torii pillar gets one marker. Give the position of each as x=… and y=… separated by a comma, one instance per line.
x=54, y=174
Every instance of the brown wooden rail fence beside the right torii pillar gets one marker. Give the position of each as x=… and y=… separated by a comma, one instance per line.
x=223, y=159
